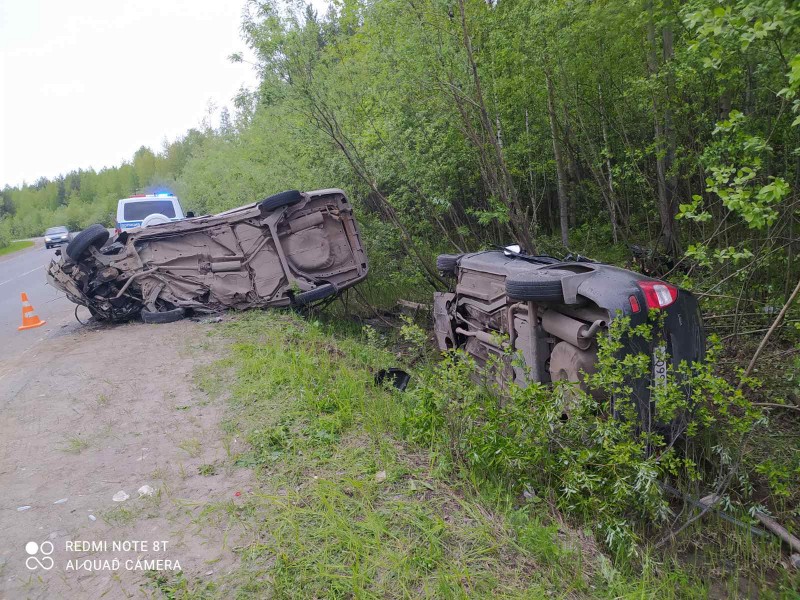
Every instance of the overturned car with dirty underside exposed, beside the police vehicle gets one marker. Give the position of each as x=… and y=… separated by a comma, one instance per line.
x=291, y=249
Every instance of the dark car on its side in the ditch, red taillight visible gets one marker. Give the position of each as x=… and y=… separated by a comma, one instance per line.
x=551, y=313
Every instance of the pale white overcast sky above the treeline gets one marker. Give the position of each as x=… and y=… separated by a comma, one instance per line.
x=85, y=83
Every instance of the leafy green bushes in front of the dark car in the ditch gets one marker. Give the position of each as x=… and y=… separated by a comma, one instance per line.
x=560, y=444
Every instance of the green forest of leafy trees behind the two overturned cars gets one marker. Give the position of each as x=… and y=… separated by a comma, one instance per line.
x=459, y=124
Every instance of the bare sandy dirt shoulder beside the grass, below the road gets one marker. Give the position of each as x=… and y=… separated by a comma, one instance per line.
x=94, y=411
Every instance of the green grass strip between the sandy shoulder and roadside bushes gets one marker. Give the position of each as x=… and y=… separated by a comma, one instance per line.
x=322, y=520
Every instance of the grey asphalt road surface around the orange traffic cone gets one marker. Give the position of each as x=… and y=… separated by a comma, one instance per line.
x=24, y=271
